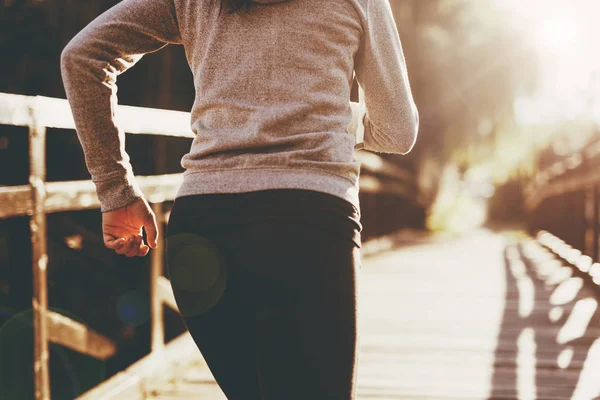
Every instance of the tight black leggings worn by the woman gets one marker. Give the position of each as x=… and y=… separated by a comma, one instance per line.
x=266, y=284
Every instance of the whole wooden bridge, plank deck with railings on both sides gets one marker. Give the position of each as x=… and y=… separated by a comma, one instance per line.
x=495, y=314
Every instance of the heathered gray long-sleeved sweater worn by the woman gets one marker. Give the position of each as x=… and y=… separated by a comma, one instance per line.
x=272, y=107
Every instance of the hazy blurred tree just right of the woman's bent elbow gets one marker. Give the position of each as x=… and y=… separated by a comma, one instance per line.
x=467, y=67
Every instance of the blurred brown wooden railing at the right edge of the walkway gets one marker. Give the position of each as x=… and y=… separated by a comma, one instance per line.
x=563, y=204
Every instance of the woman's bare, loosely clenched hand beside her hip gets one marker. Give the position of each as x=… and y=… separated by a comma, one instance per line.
x=122, y=229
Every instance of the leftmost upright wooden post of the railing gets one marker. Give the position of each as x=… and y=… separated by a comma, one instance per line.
x=37, y=180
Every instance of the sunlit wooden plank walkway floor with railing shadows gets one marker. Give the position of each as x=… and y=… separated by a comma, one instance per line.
x=485, y=316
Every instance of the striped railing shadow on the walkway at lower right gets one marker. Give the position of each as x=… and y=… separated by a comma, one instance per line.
x=548, y=344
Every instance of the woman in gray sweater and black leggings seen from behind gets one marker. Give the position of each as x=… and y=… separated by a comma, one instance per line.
x=264, y=235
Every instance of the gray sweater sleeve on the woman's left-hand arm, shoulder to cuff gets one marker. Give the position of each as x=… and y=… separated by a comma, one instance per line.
x=90, y=64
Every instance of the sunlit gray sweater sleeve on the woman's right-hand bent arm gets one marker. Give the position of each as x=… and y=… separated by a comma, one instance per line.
x=389, y=114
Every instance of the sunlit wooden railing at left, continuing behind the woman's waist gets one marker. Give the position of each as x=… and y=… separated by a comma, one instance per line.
x=39, y=198
